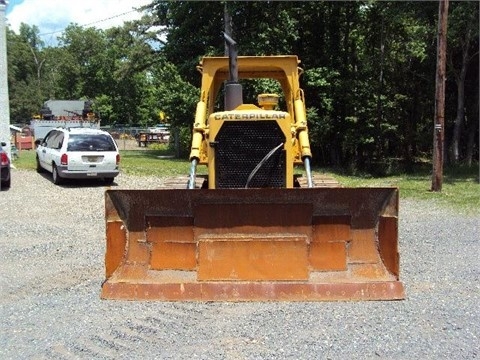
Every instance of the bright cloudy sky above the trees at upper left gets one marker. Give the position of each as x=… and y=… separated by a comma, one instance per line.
x=52, y=16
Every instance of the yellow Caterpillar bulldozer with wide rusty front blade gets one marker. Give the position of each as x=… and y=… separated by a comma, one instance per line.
x=252, y=228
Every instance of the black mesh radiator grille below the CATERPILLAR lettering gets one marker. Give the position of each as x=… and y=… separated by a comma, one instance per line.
x=240, y=146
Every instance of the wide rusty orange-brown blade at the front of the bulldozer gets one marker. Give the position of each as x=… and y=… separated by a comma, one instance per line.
x=252, y=245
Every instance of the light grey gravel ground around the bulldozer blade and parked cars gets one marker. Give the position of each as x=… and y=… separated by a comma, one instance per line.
x=52, y=248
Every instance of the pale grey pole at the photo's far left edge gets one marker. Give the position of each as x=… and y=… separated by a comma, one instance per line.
x=4, y=100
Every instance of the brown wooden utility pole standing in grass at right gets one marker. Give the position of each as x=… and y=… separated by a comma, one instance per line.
x=439, y=128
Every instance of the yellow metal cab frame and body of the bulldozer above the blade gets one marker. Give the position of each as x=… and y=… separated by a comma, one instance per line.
x=284, y=69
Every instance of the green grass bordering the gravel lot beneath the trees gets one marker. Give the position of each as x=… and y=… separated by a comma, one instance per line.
x=460, y=191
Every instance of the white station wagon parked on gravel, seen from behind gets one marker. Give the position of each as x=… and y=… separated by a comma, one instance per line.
x=78, y=153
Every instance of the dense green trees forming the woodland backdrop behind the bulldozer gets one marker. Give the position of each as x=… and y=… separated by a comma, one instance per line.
x=369, y=70
